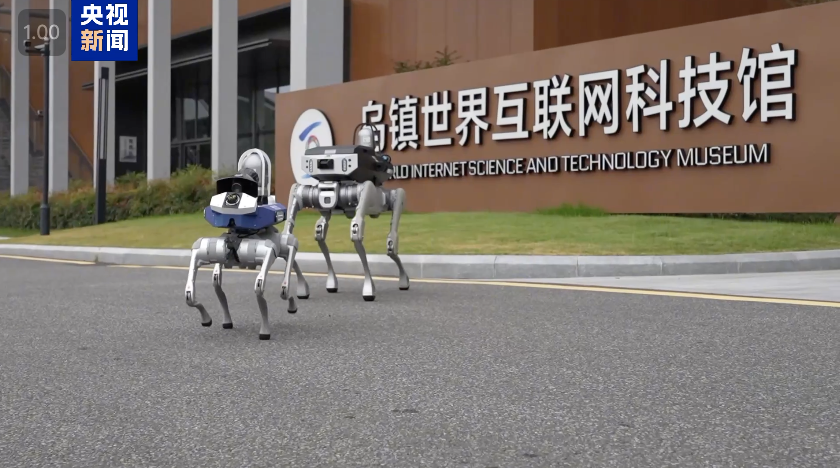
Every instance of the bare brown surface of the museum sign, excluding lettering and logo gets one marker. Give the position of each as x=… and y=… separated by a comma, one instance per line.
x=799, y=177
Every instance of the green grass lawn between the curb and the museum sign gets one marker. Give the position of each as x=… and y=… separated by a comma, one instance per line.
x=485, y=233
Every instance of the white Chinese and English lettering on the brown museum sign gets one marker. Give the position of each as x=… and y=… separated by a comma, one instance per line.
x=604, y=101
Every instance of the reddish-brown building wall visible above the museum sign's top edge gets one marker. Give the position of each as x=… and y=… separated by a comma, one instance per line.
x=388, y=31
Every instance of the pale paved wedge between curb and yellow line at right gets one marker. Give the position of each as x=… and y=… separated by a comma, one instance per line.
x=810, y=285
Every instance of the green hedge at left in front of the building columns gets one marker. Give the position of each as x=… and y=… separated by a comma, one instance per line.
x=188, y=191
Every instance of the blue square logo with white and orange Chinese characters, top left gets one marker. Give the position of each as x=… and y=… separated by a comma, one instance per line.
x=103, y=30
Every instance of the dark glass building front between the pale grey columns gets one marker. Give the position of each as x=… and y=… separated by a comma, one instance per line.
x=263, y=72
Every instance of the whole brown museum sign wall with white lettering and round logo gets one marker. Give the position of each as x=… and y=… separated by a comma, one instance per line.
x=729, y=116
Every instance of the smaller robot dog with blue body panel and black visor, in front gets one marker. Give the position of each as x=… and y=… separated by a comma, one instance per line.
x=244, y=206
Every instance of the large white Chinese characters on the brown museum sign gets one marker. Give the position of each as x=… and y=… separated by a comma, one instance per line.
x=766, y=77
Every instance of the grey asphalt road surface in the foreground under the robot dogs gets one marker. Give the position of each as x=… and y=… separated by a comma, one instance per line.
x=106, y=366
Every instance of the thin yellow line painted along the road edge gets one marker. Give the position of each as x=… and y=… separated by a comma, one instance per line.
x=565, y=287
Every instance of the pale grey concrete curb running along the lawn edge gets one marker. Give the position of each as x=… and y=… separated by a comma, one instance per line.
x=476, y=266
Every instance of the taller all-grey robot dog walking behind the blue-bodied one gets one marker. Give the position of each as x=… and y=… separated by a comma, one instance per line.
x=350, y=182
